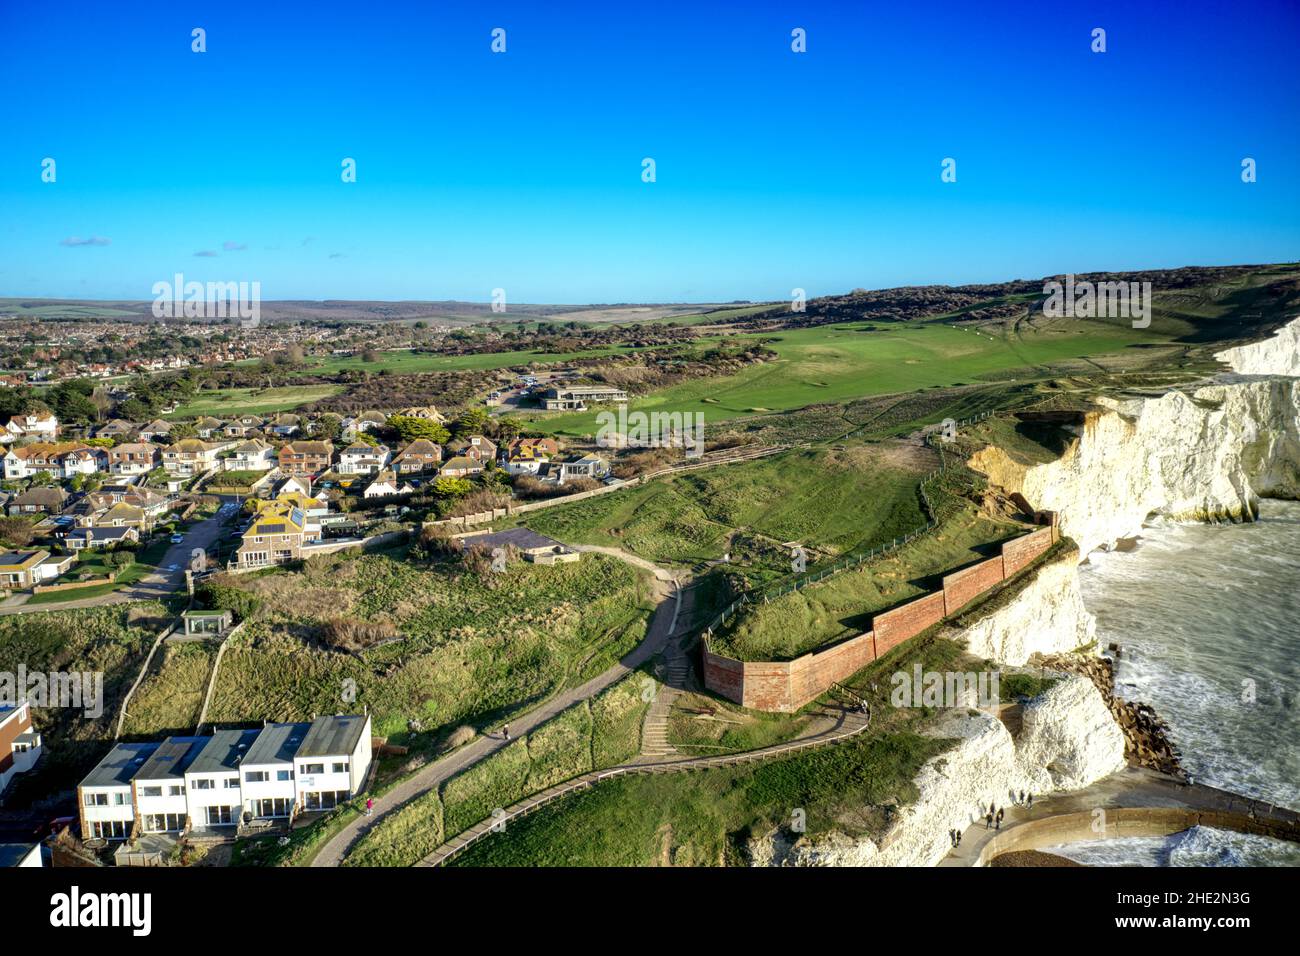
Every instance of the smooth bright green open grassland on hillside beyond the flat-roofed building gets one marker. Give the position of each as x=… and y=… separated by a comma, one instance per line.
x=838, y=364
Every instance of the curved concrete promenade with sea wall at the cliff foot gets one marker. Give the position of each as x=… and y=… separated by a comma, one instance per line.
x=1132, y=803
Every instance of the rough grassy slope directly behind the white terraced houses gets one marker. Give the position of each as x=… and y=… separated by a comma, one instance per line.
x=457, y=648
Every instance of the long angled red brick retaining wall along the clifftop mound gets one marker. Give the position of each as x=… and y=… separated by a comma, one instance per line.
x=787, y=686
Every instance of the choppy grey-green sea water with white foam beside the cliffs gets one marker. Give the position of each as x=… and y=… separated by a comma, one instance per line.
x=1208, y=622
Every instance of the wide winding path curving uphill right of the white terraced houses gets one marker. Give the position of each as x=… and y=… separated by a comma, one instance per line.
x=664, y=625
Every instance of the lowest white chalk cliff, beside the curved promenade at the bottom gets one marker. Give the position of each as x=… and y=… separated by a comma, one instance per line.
x=1068, y=742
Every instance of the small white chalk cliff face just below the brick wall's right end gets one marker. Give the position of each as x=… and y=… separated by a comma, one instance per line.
x=1046, y=617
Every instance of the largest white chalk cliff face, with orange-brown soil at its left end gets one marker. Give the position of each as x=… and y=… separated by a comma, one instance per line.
x=1210, y=456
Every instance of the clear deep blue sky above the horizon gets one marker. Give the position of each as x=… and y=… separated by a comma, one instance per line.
x=523, y=171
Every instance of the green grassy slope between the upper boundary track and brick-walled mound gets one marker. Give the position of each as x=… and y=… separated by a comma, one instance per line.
x=827, y=500
